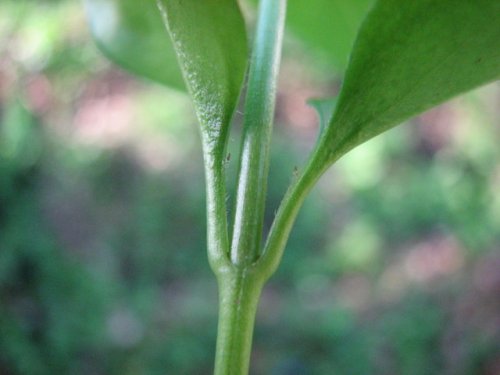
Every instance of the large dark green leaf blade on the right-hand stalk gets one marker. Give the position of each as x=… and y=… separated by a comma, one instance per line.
x=410, y=56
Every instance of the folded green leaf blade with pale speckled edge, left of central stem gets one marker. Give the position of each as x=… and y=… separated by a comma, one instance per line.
x=210, y=40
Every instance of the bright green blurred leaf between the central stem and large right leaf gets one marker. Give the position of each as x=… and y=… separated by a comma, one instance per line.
x=327, y=26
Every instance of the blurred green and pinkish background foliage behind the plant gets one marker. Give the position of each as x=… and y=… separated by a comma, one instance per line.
x=393, y=266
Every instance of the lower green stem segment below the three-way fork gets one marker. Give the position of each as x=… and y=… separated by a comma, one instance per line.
x=239, y=293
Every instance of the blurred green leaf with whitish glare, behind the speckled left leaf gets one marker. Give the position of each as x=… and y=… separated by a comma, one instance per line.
x=131, y=33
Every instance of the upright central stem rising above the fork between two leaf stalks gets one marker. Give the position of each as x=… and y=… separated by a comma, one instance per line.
x=259, y=113
